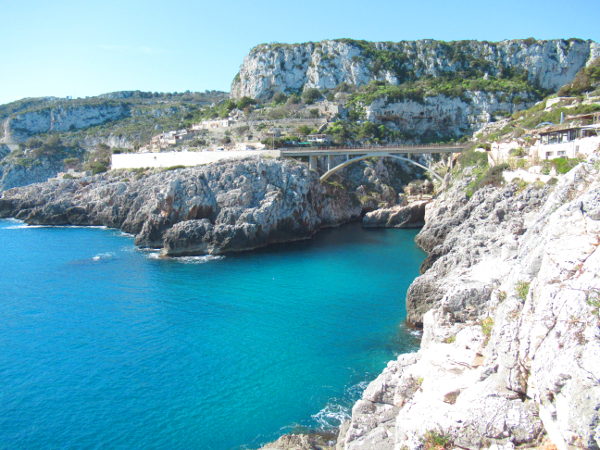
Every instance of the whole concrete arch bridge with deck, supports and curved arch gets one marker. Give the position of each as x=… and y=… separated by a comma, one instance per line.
x=353, y=155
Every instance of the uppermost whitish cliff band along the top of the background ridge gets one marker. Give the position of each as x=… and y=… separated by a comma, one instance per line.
x=291, y=68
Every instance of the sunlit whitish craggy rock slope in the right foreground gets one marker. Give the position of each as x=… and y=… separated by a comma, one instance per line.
x=510, y=305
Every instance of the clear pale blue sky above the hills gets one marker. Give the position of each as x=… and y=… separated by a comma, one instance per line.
x=88, y=47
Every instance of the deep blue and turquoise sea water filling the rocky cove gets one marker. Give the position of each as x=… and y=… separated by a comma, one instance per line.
x=102, y=345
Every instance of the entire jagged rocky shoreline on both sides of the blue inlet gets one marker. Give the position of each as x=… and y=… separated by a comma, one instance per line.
x=511, y=282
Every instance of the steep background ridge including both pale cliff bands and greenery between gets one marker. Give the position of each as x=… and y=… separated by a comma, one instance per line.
x=424, y=90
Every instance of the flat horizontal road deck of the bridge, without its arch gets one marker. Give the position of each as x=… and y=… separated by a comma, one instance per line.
x=408, y=149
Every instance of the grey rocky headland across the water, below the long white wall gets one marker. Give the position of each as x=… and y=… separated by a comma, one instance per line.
x=223, y=207
